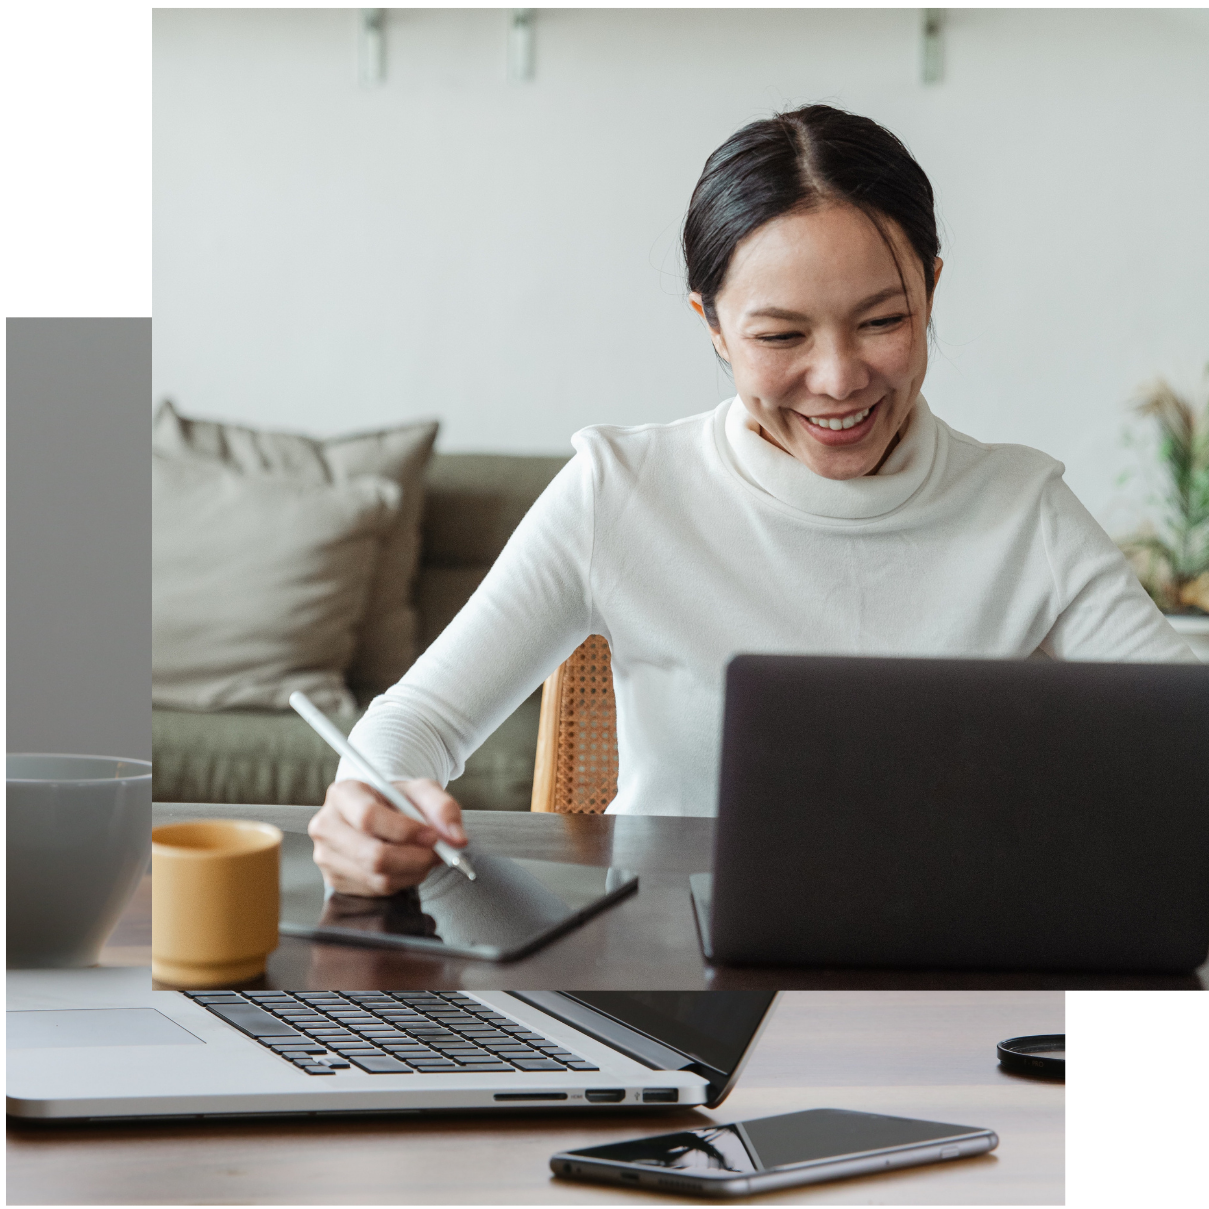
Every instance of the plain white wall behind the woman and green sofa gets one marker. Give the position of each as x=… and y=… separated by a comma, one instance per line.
x=506, y=257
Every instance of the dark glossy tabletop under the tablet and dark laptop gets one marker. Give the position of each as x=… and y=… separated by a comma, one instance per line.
x=647, y=941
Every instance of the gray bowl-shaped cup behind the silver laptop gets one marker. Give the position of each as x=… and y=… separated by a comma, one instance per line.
x=78, y=840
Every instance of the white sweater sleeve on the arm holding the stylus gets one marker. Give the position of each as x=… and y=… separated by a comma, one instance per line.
x=531, y=611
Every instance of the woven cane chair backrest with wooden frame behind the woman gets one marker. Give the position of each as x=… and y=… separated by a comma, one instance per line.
x=576, y=767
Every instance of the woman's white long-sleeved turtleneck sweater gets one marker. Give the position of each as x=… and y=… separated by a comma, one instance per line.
x=685, y=545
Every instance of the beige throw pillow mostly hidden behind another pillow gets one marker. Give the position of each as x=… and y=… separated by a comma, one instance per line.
x=386, y=643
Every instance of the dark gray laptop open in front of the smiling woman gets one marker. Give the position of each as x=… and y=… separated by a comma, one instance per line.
x=938, y=813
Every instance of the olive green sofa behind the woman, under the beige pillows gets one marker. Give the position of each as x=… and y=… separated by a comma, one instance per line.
x=473, y=504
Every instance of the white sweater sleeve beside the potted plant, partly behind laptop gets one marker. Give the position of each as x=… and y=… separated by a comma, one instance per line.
x=1106, y=615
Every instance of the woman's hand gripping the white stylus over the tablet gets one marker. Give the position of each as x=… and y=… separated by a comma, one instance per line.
x=366, y=847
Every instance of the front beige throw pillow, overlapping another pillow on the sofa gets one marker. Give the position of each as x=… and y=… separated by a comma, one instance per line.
x=259, y=583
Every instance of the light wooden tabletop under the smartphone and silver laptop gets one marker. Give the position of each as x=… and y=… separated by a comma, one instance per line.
x=911, y=1054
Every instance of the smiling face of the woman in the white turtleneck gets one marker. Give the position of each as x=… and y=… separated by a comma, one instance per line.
x=828, y=352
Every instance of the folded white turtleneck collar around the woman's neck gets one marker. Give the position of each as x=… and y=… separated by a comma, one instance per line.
x=776, y=473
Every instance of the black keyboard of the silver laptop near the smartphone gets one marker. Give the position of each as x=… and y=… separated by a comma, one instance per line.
x=389, y=1033
